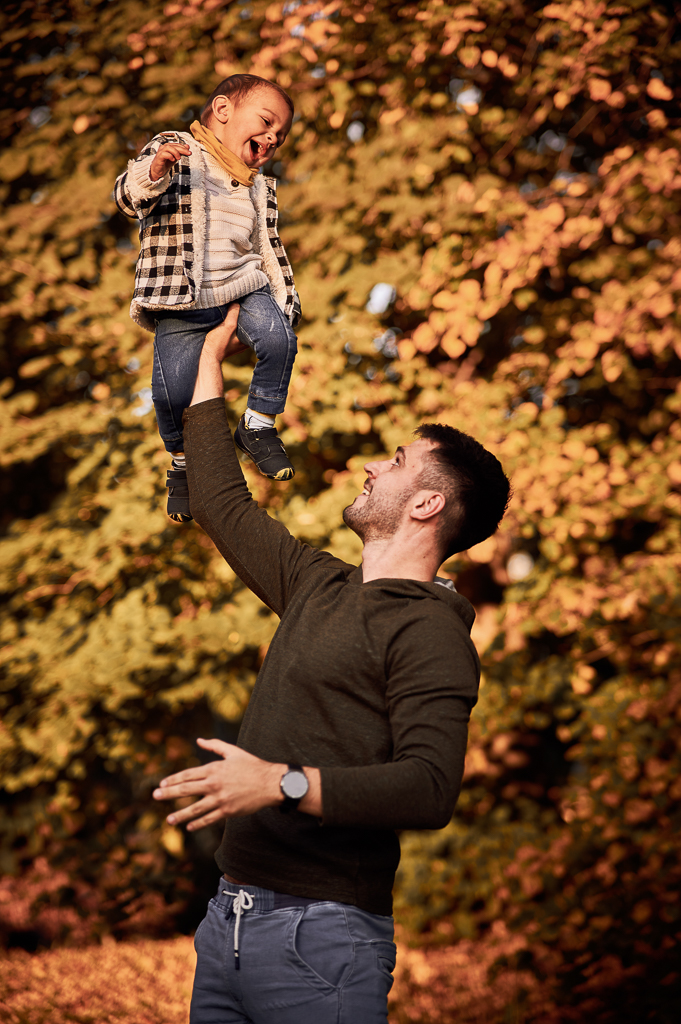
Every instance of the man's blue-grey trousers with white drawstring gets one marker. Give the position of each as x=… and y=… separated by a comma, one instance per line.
x=319, y=964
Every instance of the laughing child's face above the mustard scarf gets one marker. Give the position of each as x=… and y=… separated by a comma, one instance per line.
x=254, y=129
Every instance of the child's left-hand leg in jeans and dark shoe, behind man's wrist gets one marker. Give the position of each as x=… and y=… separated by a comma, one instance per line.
x=179, y=342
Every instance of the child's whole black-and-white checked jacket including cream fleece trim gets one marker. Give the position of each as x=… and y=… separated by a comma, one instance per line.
x=173, y=234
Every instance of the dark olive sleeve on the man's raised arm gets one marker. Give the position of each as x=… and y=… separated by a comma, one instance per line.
x=262, y=551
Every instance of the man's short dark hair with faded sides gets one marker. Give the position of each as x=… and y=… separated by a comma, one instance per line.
x=476, y=488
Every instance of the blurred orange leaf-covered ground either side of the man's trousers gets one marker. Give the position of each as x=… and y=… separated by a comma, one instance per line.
x=150, y=983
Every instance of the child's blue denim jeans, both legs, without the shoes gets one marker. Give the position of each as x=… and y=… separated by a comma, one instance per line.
x=178, y=345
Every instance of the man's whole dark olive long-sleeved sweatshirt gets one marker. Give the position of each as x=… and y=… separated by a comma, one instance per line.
x=371, y=682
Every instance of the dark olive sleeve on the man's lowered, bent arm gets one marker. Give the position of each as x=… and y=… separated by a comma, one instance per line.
x=433, y=682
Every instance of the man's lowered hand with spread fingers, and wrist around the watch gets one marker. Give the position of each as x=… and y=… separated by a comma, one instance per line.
x=238, y=786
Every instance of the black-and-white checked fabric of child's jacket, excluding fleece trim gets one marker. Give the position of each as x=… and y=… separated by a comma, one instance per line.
x=164, y=273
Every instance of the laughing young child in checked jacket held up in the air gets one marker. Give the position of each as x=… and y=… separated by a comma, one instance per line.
x=208, y=234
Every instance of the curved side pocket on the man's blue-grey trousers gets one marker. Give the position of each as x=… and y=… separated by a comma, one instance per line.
x=323, y=947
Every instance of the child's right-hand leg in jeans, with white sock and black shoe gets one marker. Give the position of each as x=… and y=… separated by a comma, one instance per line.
x=264, y=328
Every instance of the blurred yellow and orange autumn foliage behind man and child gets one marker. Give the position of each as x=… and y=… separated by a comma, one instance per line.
x=482, y=204
